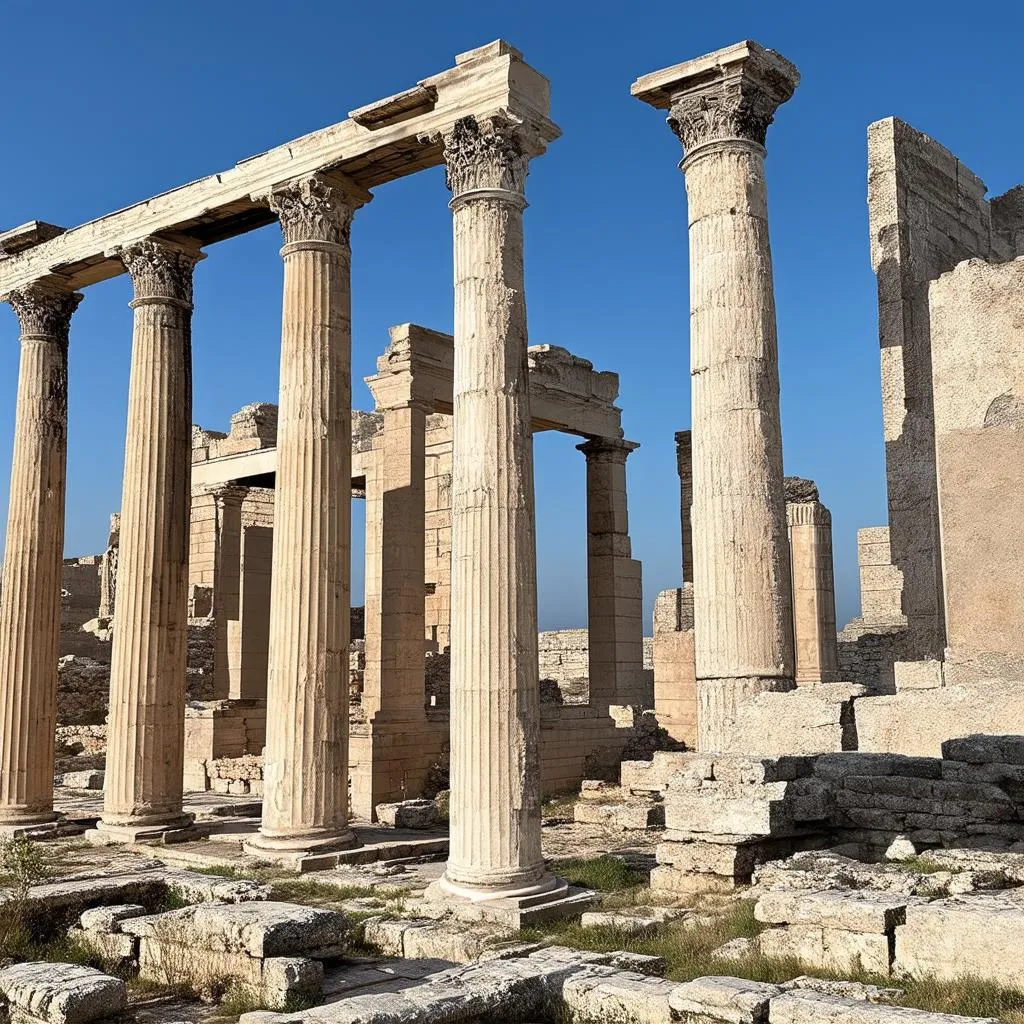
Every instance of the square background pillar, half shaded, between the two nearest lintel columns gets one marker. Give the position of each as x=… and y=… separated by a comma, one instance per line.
x=394, y=686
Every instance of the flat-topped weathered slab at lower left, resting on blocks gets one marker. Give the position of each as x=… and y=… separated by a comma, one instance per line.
x=257, y=929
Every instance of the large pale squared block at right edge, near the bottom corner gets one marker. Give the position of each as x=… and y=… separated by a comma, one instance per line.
x=976, y=935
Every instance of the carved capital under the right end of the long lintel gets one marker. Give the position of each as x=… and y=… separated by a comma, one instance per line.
x=493, y=155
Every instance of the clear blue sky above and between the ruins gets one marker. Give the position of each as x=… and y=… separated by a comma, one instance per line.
x=108, y=104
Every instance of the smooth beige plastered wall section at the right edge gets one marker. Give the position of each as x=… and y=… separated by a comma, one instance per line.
x=977, y=326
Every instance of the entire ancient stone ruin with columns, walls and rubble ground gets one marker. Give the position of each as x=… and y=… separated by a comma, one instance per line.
x=748, y=817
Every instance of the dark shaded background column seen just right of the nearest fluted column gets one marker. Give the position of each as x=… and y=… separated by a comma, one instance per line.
x=615, y=598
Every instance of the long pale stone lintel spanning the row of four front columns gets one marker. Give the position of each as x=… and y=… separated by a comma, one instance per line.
x=488, y=83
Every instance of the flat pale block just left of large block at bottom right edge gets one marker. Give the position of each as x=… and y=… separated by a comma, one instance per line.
x=854, y=912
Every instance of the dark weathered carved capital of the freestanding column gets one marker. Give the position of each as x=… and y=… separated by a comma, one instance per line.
x=740, y=104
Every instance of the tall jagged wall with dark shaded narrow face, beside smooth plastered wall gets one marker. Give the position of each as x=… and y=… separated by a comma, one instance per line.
x=928, y=214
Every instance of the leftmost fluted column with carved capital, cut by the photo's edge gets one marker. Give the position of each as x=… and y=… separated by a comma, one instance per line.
x=30, y=594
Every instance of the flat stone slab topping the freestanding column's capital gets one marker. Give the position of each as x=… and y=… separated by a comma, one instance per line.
x=747, y=60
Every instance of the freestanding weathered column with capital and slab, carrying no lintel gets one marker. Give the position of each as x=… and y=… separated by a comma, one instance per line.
x=720, y=107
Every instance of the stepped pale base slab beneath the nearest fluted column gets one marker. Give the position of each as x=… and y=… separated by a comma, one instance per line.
x=548, y=900
